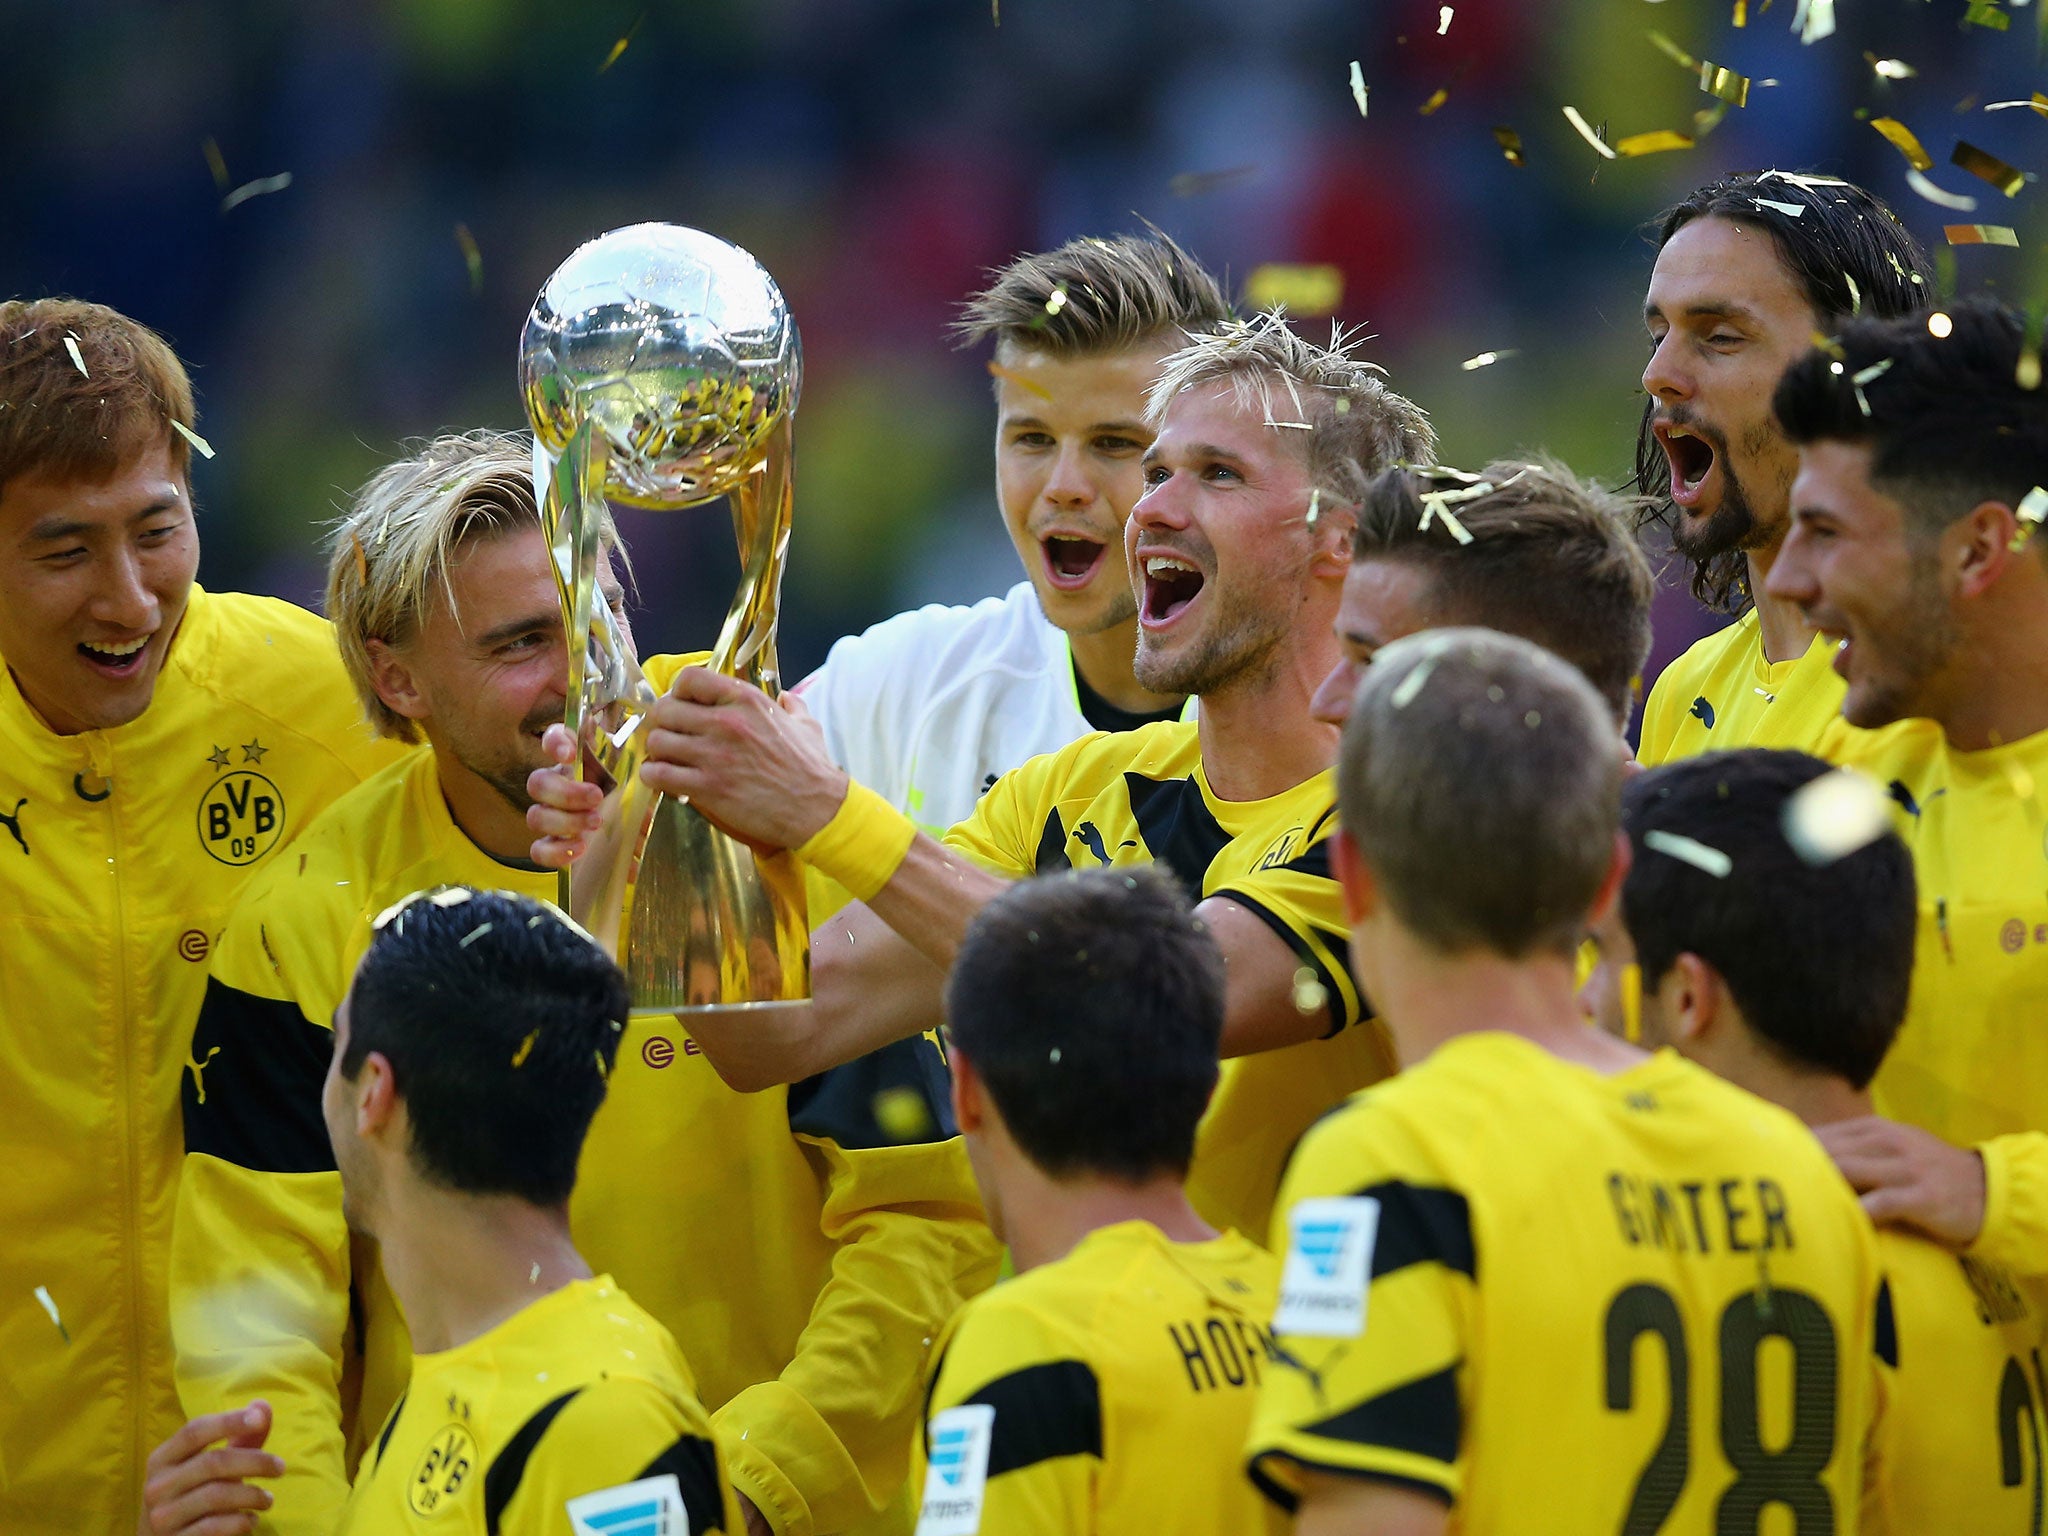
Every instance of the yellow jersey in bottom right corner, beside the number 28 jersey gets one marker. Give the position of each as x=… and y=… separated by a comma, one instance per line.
x=1965, y=1394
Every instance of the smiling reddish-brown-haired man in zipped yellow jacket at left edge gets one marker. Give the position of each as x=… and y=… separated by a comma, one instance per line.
x=161, y=746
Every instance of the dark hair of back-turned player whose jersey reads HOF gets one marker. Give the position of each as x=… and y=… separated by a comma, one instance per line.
x=1093, y=1005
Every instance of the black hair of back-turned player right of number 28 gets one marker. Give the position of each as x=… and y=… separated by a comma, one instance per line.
x=1818, y=957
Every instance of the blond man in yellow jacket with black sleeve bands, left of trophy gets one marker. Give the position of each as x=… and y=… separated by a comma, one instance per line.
x=802, y=1252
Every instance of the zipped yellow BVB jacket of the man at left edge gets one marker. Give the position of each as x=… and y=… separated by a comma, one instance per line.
x=122, y=855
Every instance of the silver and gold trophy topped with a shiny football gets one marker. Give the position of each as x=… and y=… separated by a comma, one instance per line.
x=660, y=370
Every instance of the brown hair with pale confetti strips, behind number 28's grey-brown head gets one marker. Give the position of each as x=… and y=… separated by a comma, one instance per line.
x=1551, y=558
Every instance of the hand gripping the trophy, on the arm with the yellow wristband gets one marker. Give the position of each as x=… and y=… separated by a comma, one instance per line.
x=757, y=767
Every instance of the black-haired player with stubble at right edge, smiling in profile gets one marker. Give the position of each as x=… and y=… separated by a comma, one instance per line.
x=1916, y=552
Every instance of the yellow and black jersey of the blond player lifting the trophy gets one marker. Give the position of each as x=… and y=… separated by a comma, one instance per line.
x=1140, y=798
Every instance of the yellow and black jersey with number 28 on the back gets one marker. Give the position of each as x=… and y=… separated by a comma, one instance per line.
x=1564, y=1302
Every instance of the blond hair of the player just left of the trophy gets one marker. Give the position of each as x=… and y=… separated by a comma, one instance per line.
x=394, y=546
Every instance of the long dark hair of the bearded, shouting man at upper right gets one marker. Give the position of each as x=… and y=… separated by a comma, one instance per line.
x=1850, y=257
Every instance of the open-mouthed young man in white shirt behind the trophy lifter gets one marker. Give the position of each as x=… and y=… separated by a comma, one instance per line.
x=931, y=708
